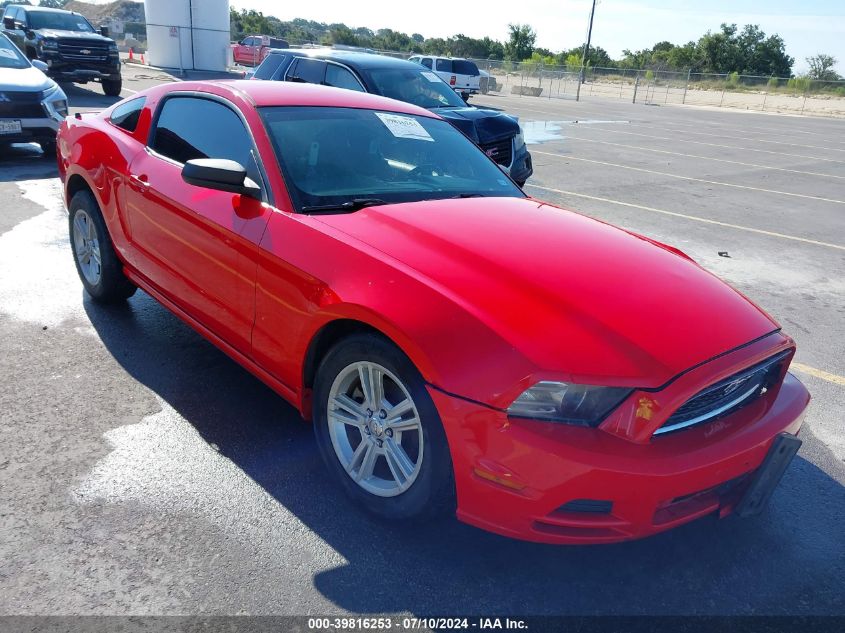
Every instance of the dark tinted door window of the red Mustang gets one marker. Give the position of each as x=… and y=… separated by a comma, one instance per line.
x=192, y=127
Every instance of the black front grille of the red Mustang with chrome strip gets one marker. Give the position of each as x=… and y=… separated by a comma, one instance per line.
x=726, y=396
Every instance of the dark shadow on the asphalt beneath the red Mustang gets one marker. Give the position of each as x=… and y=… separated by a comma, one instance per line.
x=787, y=561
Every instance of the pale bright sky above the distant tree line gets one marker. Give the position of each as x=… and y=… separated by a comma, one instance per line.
x=807, y=26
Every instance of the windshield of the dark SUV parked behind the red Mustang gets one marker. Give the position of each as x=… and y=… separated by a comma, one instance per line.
x=420, y=87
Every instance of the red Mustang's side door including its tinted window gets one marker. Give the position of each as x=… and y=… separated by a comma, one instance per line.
x=197, y=245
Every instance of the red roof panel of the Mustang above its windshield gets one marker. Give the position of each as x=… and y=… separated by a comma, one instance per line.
x=283, y=93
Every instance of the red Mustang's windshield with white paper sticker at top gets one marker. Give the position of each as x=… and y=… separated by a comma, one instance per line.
x=342, y=156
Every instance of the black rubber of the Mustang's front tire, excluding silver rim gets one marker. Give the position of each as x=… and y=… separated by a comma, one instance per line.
x=432, y=492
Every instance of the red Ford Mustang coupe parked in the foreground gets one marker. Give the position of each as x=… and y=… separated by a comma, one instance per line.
x=458, y=345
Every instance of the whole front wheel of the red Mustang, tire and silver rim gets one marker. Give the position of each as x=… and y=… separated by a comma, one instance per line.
x=379, y=432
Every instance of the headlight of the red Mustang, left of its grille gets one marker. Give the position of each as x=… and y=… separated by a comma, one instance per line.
x=568, y=403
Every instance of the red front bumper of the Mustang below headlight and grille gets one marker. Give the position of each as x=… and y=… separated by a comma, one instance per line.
x=513, y=476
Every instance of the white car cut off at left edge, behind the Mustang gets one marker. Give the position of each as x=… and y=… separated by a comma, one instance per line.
x=31, y=104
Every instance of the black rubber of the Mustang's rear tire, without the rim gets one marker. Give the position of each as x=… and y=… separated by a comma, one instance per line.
x=113, y=286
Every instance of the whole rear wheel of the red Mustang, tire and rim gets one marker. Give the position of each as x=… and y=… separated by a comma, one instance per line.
x=99, y=268
